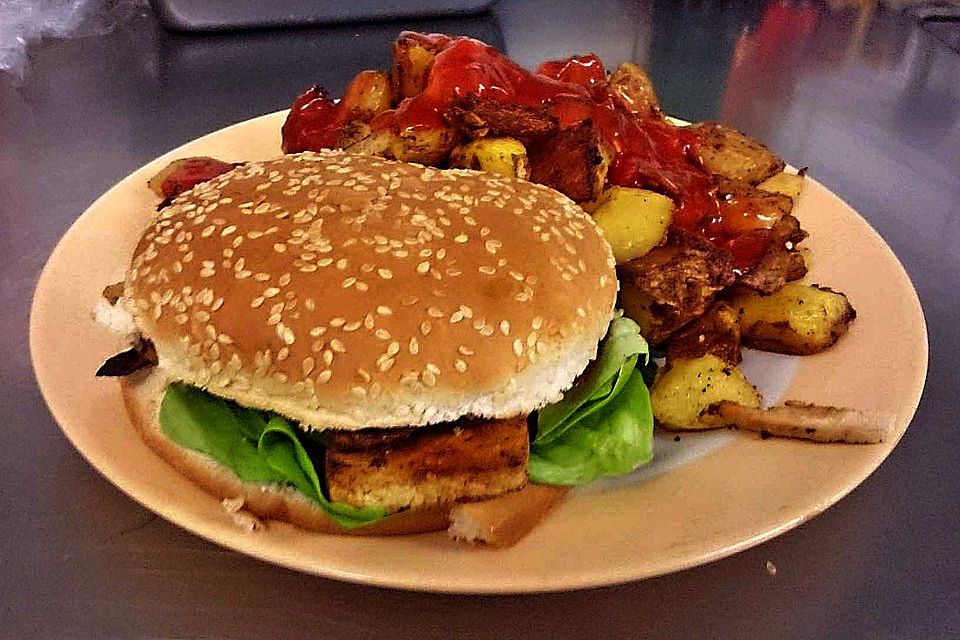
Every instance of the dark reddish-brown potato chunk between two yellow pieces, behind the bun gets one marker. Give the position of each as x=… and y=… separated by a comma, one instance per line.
x=574, y=162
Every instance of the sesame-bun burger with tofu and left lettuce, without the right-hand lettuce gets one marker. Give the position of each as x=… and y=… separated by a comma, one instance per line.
x=350, y=343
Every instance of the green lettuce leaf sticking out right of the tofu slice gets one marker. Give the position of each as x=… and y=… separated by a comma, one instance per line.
x=604, y=423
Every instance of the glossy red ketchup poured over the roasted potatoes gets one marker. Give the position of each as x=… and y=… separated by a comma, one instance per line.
x=645, y=151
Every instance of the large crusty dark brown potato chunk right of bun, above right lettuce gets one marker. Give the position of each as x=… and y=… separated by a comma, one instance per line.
x=673, y=284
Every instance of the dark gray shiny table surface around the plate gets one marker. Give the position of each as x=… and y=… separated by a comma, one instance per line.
x=868, y=99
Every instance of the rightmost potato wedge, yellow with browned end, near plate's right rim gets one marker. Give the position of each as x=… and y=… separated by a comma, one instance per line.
x=799, y=319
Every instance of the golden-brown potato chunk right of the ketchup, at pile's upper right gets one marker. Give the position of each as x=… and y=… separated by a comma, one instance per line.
x=731, y=154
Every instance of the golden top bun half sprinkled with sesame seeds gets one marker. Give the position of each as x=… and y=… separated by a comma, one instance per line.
x=348, y=291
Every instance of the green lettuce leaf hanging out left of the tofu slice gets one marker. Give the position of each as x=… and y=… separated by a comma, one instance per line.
x=257, y=446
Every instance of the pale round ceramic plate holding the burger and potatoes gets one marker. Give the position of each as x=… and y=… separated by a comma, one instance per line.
x=705, y=497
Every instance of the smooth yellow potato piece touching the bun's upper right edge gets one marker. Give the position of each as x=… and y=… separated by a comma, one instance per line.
x=633, y=221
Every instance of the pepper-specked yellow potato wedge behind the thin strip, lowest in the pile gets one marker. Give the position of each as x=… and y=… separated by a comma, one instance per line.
x=683, y=393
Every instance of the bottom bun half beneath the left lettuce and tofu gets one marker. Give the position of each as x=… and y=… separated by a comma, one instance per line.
x=142, y=392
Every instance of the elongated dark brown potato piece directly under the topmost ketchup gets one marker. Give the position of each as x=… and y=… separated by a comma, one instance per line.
x=482, y=117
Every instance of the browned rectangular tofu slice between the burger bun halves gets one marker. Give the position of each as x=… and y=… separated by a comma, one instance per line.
x=407, y=468
